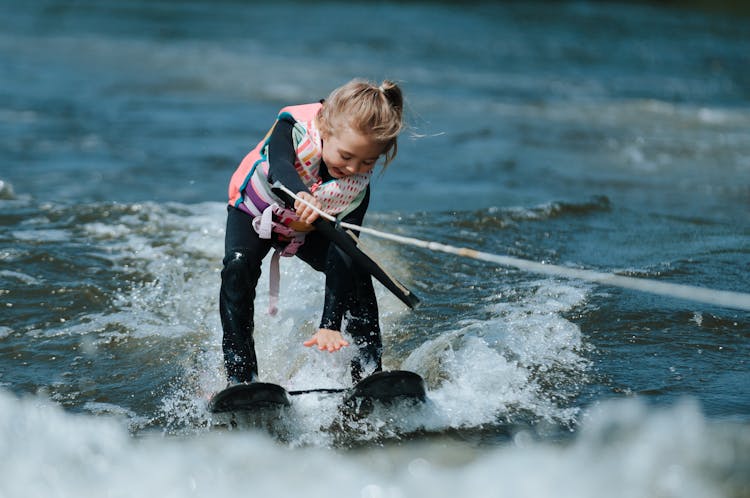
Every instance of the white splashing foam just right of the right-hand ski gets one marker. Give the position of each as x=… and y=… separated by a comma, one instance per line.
x=490, y=369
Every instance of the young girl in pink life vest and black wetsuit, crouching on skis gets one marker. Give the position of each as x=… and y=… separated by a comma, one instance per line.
x=325, y=152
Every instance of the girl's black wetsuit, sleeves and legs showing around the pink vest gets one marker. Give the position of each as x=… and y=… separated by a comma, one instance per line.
x=348, y=290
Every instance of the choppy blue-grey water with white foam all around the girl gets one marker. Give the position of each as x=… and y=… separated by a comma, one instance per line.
x=608, y=137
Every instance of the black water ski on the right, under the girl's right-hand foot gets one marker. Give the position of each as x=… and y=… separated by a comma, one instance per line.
x=387, y=388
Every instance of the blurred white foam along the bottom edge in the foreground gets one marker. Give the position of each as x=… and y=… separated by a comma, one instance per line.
x=624, y=450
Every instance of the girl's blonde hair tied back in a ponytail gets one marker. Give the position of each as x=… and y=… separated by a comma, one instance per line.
x=375, y=111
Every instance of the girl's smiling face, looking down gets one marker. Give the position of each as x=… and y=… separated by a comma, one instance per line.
x=348, y=152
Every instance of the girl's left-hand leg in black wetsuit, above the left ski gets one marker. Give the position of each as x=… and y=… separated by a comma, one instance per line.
x=244, y=251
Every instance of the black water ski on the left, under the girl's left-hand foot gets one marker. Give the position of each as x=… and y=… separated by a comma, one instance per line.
x=249, y=398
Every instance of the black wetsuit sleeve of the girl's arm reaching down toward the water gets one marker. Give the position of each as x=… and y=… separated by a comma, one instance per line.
x=339, y=271
